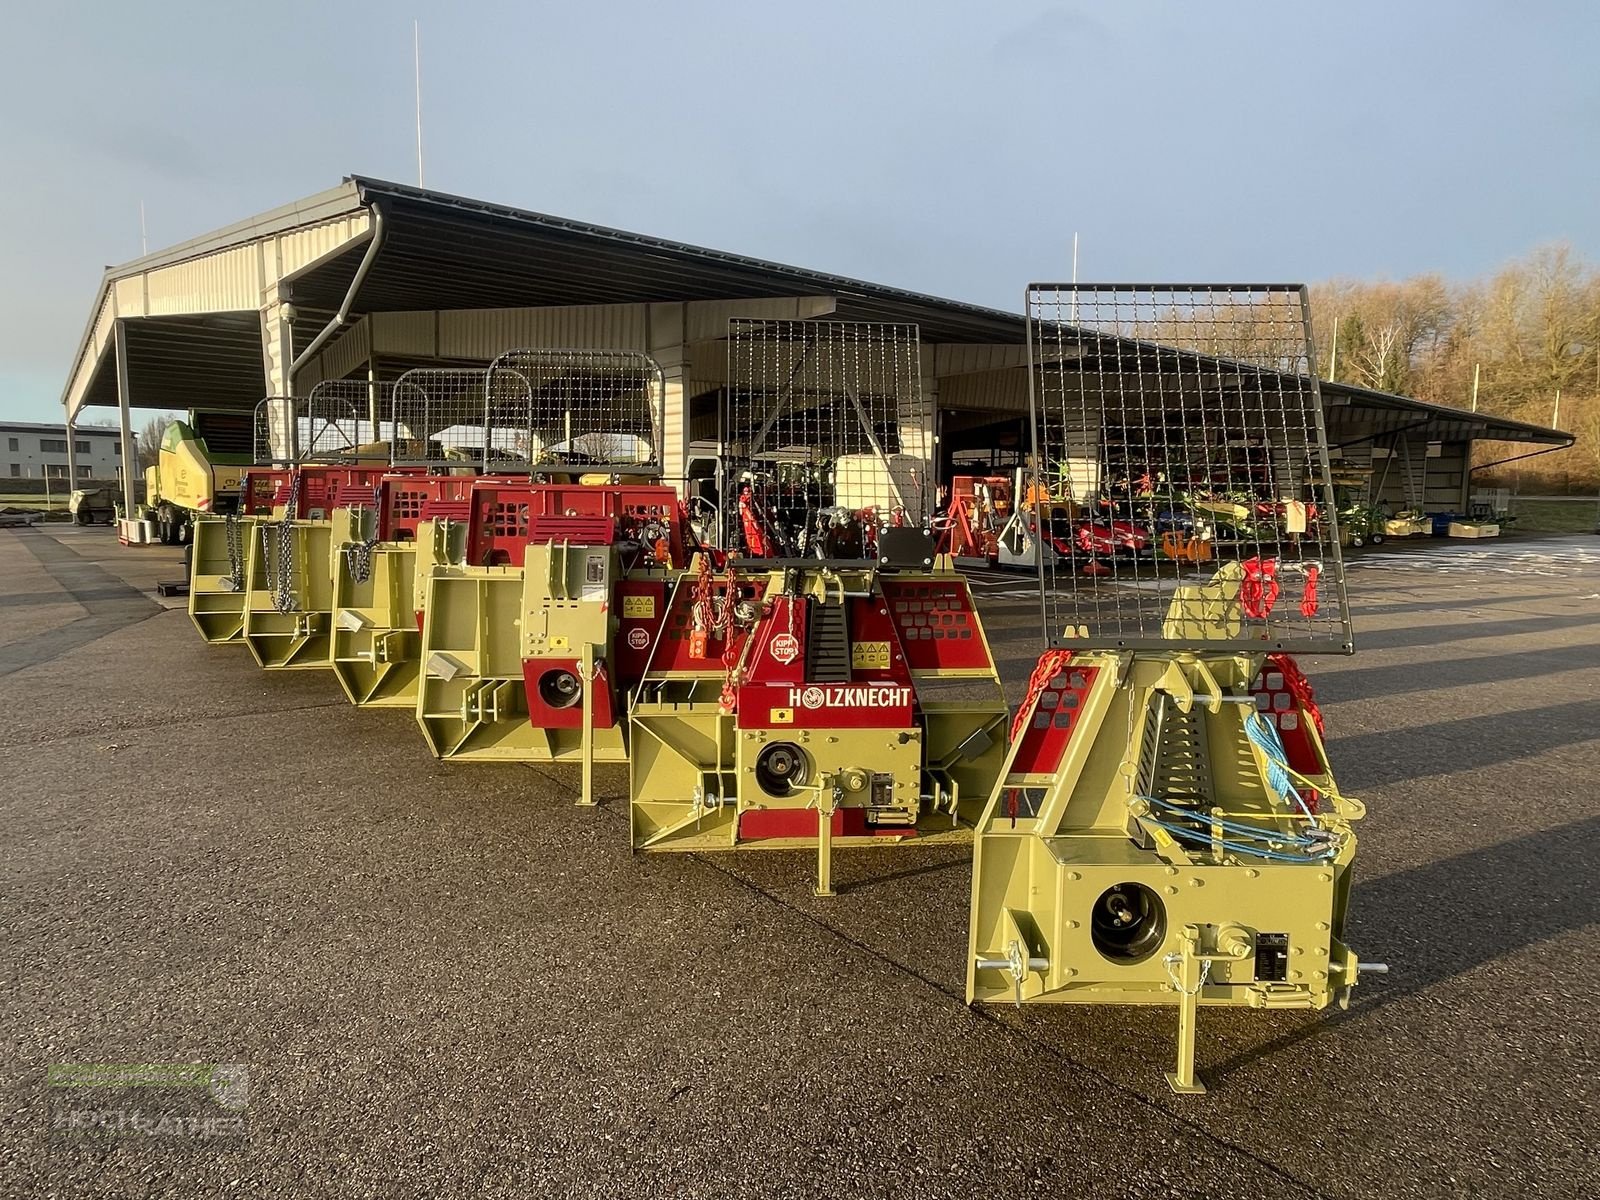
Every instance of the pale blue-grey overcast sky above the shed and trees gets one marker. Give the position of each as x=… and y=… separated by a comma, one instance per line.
x=938, y=145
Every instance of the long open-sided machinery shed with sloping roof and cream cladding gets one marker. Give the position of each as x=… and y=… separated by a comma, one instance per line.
x=372, y=279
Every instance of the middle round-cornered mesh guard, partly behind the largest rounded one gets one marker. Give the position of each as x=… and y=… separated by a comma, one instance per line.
x=455, y=417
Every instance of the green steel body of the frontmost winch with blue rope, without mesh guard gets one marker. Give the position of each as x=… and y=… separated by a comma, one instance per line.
x=1082, y=890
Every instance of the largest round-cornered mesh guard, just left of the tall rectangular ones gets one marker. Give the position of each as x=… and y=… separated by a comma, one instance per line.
x=598, y=410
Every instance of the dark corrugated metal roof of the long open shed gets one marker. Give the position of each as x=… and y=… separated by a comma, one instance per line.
x=447, y=252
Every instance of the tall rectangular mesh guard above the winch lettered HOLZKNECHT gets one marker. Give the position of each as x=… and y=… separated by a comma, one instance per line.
x=828, y=434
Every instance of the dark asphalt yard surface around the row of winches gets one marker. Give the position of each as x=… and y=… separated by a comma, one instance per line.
x=450, y=982
